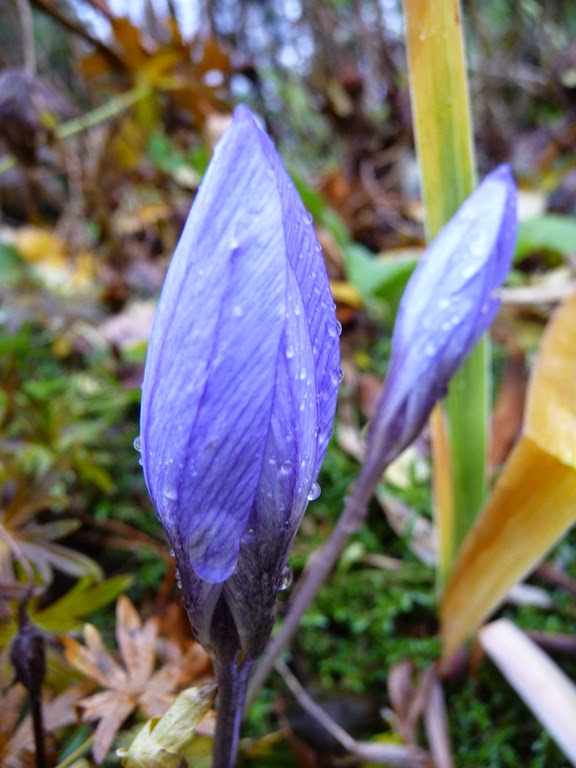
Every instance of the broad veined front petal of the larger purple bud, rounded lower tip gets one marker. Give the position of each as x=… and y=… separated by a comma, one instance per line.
x=210, y=374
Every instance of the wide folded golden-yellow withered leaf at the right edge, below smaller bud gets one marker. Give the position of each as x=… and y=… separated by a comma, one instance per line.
x=534, y=500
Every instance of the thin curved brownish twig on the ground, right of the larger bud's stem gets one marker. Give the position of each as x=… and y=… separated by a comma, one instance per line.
x=398, y=755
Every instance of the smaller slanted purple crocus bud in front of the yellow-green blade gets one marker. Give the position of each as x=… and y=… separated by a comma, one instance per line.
x=448, y=303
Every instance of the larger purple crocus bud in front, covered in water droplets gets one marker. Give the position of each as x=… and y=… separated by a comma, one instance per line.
x=239, y=389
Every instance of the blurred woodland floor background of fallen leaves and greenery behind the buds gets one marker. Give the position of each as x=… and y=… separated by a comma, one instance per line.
x=107, y=121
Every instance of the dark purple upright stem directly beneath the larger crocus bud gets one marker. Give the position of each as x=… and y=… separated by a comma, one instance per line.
x=232, y=687
